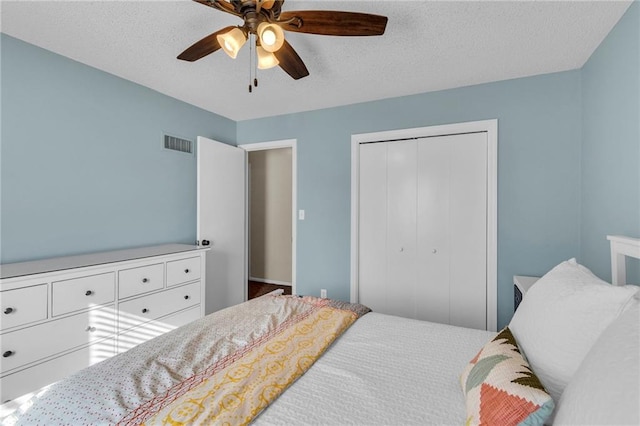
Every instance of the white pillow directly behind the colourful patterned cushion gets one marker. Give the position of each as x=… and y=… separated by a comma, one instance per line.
x=560, y=318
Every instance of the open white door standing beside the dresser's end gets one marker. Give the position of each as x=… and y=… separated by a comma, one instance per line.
x=221, y=221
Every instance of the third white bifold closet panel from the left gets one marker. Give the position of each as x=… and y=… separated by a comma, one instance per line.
x=433, y=227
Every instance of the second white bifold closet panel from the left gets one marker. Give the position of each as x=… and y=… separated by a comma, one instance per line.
x=401, y=228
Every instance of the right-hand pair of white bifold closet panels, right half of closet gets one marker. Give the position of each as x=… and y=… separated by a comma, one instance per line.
x=451, y=229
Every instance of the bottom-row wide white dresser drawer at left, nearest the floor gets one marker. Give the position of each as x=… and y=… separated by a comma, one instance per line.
x=33, y=378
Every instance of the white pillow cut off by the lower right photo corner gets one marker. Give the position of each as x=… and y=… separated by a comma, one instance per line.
x=606, y=387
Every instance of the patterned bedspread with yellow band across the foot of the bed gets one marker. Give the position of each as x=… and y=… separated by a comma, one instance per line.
x=222, y=369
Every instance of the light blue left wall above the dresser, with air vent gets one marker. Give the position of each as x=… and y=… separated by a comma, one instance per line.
x=82, y=166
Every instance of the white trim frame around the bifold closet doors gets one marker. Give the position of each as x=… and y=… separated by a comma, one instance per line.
x=488, y=126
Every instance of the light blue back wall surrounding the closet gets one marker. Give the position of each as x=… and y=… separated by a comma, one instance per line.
x=539, y=126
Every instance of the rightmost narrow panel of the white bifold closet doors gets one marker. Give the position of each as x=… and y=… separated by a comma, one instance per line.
x=468, y=230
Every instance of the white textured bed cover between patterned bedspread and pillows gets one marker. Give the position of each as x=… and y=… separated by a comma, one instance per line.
x=384, y=370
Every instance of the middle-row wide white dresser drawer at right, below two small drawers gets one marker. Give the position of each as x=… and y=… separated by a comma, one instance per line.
x=143, y=309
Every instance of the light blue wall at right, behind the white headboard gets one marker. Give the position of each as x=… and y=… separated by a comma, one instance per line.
x=611, y=144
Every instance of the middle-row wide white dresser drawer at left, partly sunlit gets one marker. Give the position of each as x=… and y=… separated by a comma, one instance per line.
x=33, y=343
